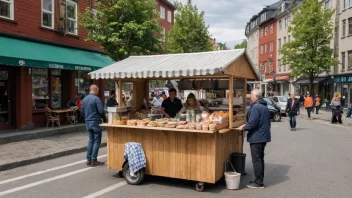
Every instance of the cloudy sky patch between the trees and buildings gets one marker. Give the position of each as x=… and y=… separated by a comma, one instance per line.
x=227, y=19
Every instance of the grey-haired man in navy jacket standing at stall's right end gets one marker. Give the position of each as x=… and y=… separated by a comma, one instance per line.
x=258, y=127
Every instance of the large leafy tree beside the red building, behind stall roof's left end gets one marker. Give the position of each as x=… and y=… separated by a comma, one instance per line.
x=123, y=27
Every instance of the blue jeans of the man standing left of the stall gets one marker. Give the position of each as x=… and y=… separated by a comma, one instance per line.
x=94, y=132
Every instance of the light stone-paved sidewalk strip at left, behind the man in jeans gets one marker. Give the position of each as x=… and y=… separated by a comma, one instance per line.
x=23, y=153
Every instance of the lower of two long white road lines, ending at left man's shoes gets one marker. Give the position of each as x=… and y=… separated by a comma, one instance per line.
x=43, y=181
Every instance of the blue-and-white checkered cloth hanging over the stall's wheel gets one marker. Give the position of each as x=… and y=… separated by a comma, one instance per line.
x=135, y=155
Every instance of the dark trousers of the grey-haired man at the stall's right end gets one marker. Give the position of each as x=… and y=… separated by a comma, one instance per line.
x=257, y=152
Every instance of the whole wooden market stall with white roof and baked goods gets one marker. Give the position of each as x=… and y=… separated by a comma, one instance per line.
x=195, y=149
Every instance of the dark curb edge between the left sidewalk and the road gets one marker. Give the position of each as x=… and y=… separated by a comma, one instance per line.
x=34, y=160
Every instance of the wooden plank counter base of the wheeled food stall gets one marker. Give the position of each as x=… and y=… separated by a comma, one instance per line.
x=176, y=153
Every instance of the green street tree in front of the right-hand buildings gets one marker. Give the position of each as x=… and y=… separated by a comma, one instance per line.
x=309, y=53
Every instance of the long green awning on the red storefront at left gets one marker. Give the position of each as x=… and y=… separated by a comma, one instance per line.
x=17, y=52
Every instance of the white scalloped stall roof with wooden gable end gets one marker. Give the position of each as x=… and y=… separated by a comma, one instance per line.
x=234, y=62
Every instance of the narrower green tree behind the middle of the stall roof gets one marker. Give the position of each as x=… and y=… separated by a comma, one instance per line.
x=189, y=33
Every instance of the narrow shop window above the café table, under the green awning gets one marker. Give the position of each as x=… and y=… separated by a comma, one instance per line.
x=56, y=89
